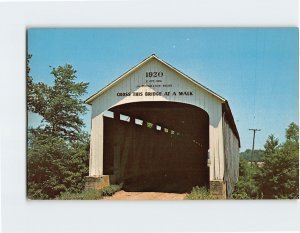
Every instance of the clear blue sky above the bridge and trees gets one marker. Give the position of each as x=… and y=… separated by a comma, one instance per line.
x=255, y=69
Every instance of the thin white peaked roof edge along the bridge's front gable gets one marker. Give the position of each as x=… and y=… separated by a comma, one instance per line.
x=133, y=69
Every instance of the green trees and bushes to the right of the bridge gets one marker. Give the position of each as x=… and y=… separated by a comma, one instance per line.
x=277, y=177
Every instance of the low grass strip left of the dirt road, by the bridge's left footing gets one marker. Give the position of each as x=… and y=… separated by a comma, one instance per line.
x=91, y=194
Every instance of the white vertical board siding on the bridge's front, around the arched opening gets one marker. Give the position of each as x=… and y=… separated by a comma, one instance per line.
x=134, y=82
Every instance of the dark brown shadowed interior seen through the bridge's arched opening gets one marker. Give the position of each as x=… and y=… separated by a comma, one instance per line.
x=157, y=146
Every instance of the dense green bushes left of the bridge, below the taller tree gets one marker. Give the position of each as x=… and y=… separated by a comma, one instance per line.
x=54, y=167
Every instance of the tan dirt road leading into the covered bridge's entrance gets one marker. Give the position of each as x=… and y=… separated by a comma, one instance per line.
x=122, y=195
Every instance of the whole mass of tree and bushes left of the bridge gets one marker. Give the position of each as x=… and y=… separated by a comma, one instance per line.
x=57, y=152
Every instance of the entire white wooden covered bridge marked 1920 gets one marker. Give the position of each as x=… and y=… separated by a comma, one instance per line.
x=156, y=129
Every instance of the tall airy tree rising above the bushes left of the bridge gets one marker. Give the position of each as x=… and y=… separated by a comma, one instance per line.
x=59, y=105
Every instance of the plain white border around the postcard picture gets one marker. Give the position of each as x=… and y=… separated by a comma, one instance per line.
x=20, y=215
